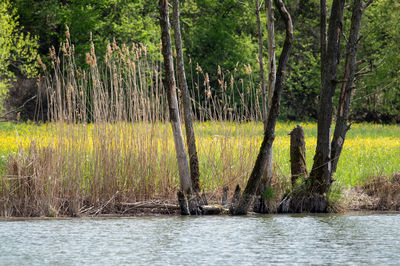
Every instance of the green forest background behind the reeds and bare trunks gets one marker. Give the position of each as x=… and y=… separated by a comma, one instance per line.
x=216, y=35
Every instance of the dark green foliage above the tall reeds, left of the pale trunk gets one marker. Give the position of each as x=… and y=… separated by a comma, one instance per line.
x=126, y=21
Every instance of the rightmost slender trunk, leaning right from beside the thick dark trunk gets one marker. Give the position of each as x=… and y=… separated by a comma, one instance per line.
x=342, y=126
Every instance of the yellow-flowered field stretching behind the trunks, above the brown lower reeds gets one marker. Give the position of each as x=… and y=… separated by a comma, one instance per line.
x=227, y=150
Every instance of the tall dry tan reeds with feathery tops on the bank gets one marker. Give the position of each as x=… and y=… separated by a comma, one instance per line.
x=110, y=142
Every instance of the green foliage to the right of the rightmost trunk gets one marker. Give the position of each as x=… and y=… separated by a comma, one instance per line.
x=377, y=96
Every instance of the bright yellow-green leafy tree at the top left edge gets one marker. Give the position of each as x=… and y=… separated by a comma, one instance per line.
x=18, y=51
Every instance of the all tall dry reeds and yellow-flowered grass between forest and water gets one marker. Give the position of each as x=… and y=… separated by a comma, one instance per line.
x=108, y=140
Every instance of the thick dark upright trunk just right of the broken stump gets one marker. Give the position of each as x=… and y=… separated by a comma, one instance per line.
x=321, y=173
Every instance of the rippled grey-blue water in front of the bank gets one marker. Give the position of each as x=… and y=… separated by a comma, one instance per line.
x=216, y=240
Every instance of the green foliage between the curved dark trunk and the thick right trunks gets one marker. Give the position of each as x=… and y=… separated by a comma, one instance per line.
x=303, y=81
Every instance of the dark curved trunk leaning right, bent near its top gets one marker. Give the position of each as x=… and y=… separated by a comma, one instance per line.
x=242, y=205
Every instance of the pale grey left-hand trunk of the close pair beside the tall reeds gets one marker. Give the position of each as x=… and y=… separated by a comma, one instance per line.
x=170, y=85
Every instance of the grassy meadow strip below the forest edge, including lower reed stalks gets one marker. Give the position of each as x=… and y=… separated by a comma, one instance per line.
x=65, y=168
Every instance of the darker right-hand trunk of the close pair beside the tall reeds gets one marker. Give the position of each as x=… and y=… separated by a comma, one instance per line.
x=187, y=105
